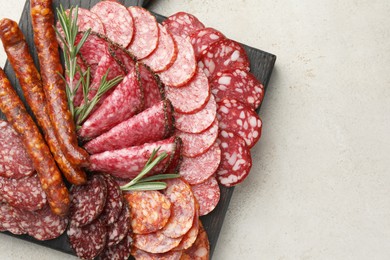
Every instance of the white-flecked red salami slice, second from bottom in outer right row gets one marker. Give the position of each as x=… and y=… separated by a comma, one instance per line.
x=240, y=119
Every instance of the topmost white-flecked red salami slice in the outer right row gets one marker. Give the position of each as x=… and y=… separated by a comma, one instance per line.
x=182, y=24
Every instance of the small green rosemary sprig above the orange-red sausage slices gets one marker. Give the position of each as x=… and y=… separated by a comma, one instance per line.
x=153, y=182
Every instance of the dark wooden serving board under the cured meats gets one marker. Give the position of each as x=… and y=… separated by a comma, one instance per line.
x=262, y=64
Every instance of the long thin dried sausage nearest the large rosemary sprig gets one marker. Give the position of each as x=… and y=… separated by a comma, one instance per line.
x=42, y=19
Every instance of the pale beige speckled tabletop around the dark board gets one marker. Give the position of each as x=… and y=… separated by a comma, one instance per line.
x=319, y=187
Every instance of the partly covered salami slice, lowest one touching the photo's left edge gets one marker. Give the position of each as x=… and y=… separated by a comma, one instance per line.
x=9, y=220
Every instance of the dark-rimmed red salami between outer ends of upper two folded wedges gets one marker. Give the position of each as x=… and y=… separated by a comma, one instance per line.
x=153, y=89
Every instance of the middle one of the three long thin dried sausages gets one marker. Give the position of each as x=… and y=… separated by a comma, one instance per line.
x=19, y=56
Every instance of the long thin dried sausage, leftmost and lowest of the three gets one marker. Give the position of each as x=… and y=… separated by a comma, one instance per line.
x=48, y=173
